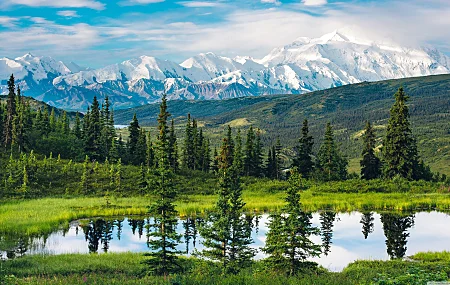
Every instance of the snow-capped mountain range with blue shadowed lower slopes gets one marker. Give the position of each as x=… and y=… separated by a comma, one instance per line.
x=305, y=65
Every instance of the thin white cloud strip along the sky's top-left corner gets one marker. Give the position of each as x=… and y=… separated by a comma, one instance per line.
x=92, y=4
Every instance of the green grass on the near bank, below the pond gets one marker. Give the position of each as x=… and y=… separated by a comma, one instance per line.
x=126, y=268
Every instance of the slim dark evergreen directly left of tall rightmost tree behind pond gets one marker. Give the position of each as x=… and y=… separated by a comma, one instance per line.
x=370, y=163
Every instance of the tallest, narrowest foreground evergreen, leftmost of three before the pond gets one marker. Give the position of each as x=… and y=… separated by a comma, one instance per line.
x=164, y=238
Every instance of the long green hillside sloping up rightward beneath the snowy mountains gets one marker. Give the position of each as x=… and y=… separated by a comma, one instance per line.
x=346, y=107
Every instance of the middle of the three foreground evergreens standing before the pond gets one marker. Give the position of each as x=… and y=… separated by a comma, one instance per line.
x=227, y=234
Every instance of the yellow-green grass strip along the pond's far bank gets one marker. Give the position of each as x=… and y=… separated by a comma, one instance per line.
x=45, y=215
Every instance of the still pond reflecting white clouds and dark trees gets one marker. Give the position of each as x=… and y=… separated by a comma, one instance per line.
x=345, y=237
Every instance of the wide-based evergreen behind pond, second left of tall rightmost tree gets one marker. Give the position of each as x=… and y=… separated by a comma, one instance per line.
x=330, y=163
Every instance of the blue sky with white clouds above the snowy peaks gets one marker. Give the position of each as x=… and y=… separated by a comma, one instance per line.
x=96, y=33
